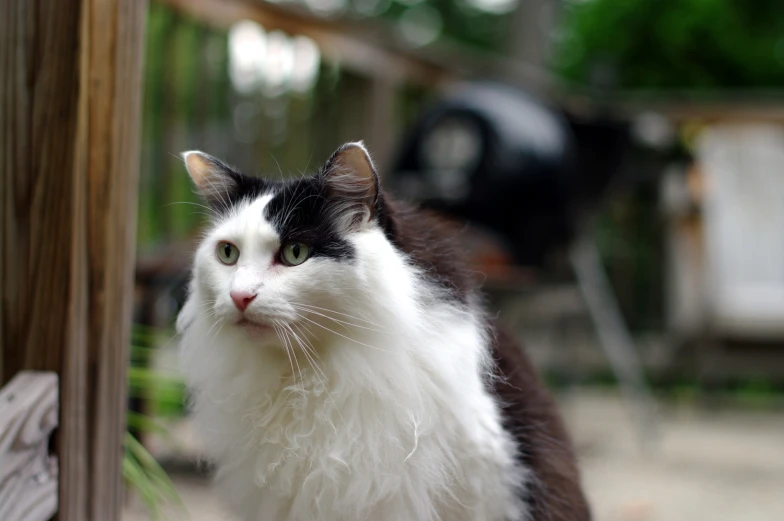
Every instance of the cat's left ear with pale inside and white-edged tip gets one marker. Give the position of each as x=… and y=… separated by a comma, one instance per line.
x=214, y=180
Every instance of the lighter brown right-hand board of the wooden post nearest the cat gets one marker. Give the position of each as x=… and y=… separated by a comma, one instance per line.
x=116, y=51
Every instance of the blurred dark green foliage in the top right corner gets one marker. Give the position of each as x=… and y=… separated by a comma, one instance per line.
x=703, y=44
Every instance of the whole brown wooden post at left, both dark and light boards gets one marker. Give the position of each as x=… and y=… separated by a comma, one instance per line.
x=69, y=141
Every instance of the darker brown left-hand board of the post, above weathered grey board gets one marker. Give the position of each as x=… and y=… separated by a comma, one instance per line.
x=39, y=59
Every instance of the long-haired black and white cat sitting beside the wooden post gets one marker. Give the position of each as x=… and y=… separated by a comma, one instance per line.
x=342, y=368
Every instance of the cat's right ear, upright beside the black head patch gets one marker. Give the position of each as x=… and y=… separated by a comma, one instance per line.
x=352, y=180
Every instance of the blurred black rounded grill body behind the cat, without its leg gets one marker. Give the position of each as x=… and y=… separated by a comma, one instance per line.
x=493, y=155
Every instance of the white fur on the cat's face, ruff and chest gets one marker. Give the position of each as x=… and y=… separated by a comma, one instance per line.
x=389, y=420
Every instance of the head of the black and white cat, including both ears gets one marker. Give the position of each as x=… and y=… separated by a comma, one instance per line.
x=278, y=251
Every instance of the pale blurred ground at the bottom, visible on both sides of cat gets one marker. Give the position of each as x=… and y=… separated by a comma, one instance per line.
x=706, y=465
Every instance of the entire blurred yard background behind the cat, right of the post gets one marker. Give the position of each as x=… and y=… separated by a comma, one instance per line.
x=616, y=168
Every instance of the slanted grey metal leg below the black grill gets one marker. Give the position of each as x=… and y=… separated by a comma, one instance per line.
x=614, y=337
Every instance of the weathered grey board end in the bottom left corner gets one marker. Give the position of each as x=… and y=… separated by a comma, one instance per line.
x=28, y=474
